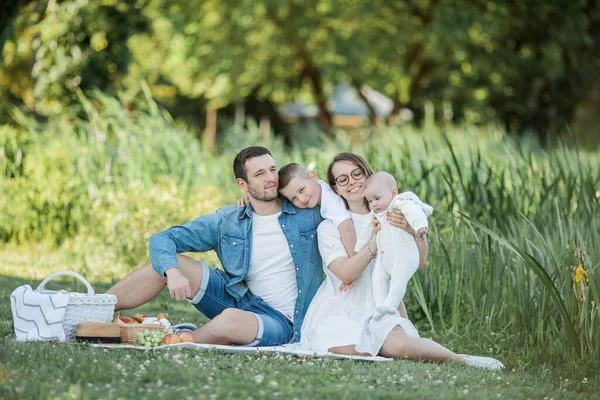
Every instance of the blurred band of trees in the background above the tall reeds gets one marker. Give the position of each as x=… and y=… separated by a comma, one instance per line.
x=532, y=67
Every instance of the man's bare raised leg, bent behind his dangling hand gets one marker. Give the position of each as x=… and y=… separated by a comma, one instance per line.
x=144, y=284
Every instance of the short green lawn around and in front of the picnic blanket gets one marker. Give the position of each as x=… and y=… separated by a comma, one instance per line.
x=68, y=370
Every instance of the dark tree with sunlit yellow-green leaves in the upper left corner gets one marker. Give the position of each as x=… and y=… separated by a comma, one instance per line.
x=62, y=47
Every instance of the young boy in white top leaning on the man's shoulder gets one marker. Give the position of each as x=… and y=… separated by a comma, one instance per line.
x=304, y=190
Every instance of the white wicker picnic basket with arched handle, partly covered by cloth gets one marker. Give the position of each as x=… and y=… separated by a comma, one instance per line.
x=90, y=307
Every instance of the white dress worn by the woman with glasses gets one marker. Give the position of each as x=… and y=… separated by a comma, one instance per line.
x=337, y=318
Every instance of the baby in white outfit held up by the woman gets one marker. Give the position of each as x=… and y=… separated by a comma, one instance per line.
x=398, y=257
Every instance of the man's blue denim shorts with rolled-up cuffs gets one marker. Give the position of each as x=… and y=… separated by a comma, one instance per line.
x=274, y=328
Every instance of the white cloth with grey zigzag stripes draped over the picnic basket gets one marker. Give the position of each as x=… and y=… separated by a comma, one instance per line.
x=38, y=316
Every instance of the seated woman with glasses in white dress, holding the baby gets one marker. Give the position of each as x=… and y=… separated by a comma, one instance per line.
x=340, y=321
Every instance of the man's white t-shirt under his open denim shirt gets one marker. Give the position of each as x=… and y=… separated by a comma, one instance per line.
x=272, y=275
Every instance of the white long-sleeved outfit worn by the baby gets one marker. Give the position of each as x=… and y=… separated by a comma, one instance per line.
x=398, y=255
